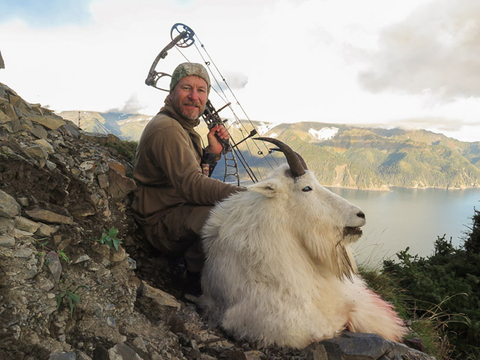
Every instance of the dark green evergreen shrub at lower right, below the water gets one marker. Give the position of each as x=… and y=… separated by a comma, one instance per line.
x=445, y=288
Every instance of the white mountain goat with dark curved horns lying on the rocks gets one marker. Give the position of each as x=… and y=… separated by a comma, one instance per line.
x=278, y=268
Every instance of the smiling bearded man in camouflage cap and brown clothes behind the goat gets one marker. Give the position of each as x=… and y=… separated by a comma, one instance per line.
x=174, y=196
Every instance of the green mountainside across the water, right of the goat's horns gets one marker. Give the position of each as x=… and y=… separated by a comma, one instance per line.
x=372, y=158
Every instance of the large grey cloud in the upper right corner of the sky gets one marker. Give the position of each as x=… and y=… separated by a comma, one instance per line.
x=434, y=51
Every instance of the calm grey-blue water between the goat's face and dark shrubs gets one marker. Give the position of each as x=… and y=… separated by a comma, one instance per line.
x=411, y=218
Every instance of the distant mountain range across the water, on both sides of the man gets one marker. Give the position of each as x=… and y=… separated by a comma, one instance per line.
x=341, y=155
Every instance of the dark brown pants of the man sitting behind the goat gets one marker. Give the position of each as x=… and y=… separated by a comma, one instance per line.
x=178, y=233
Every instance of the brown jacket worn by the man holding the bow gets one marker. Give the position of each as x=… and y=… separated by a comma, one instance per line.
x=167, y=169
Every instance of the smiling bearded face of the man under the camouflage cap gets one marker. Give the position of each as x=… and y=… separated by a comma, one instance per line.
x=189, y=97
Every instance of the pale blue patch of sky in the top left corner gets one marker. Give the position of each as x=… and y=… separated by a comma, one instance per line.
x=47, y=13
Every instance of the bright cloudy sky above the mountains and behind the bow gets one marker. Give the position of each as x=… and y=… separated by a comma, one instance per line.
x=410, y=63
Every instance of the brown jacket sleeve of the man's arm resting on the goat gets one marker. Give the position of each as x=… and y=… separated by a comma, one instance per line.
x=173, y=152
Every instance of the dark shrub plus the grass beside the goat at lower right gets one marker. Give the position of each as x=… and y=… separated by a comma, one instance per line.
x=440, y=294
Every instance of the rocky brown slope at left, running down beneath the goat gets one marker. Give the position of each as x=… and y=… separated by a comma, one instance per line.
x=66, y=295
